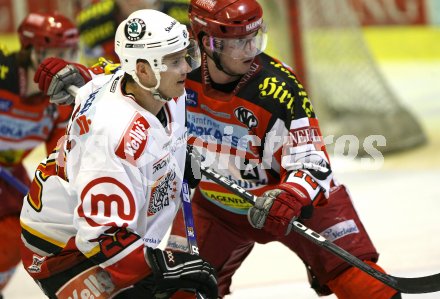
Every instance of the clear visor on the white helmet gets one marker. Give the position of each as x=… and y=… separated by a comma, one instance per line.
x=189, y=57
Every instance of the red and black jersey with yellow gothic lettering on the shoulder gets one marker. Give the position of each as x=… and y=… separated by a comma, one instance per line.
x=262, y=133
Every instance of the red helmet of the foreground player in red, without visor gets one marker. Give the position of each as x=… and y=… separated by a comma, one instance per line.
x=225, y=18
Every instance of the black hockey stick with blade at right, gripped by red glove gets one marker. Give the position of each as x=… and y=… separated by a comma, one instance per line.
x=416, y=285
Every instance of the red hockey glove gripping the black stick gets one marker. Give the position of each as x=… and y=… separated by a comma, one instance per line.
x=277, y=208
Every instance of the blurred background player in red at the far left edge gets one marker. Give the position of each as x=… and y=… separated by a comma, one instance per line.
x=27, y=119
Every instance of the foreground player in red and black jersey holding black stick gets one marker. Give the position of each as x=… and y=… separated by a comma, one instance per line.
x=253, y=122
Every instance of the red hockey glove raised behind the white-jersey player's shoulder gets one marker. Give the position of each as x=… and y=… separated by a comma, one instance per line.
x=55, y=75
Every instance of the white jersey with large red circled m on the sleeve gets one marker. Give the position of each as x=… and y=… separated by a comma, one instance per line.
x=119, y=174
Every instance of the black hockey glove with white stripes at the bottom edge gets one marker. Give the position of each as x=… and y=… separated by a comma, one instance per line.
x=175, y=271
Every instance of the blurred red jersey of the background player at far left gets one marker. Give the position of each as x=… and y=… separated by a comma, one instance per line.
x=25, y=122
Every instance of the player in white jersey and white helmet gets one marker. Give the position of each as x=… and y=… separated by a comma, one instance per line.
x=101, y=203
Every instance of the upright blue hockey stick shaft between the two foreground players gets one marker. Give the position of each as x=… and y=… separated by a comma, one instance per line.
x=189, y=224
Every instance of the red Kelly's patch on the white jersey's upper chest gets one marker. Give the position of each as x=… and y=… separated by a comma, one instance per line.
x=134, y=139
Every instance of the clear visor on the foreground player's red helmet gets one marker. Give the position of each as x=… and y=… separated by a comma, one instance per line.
x=244, y=47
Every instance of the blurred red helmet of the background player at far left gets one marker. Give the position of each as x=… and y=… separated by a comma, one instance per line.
x=41, y=30
